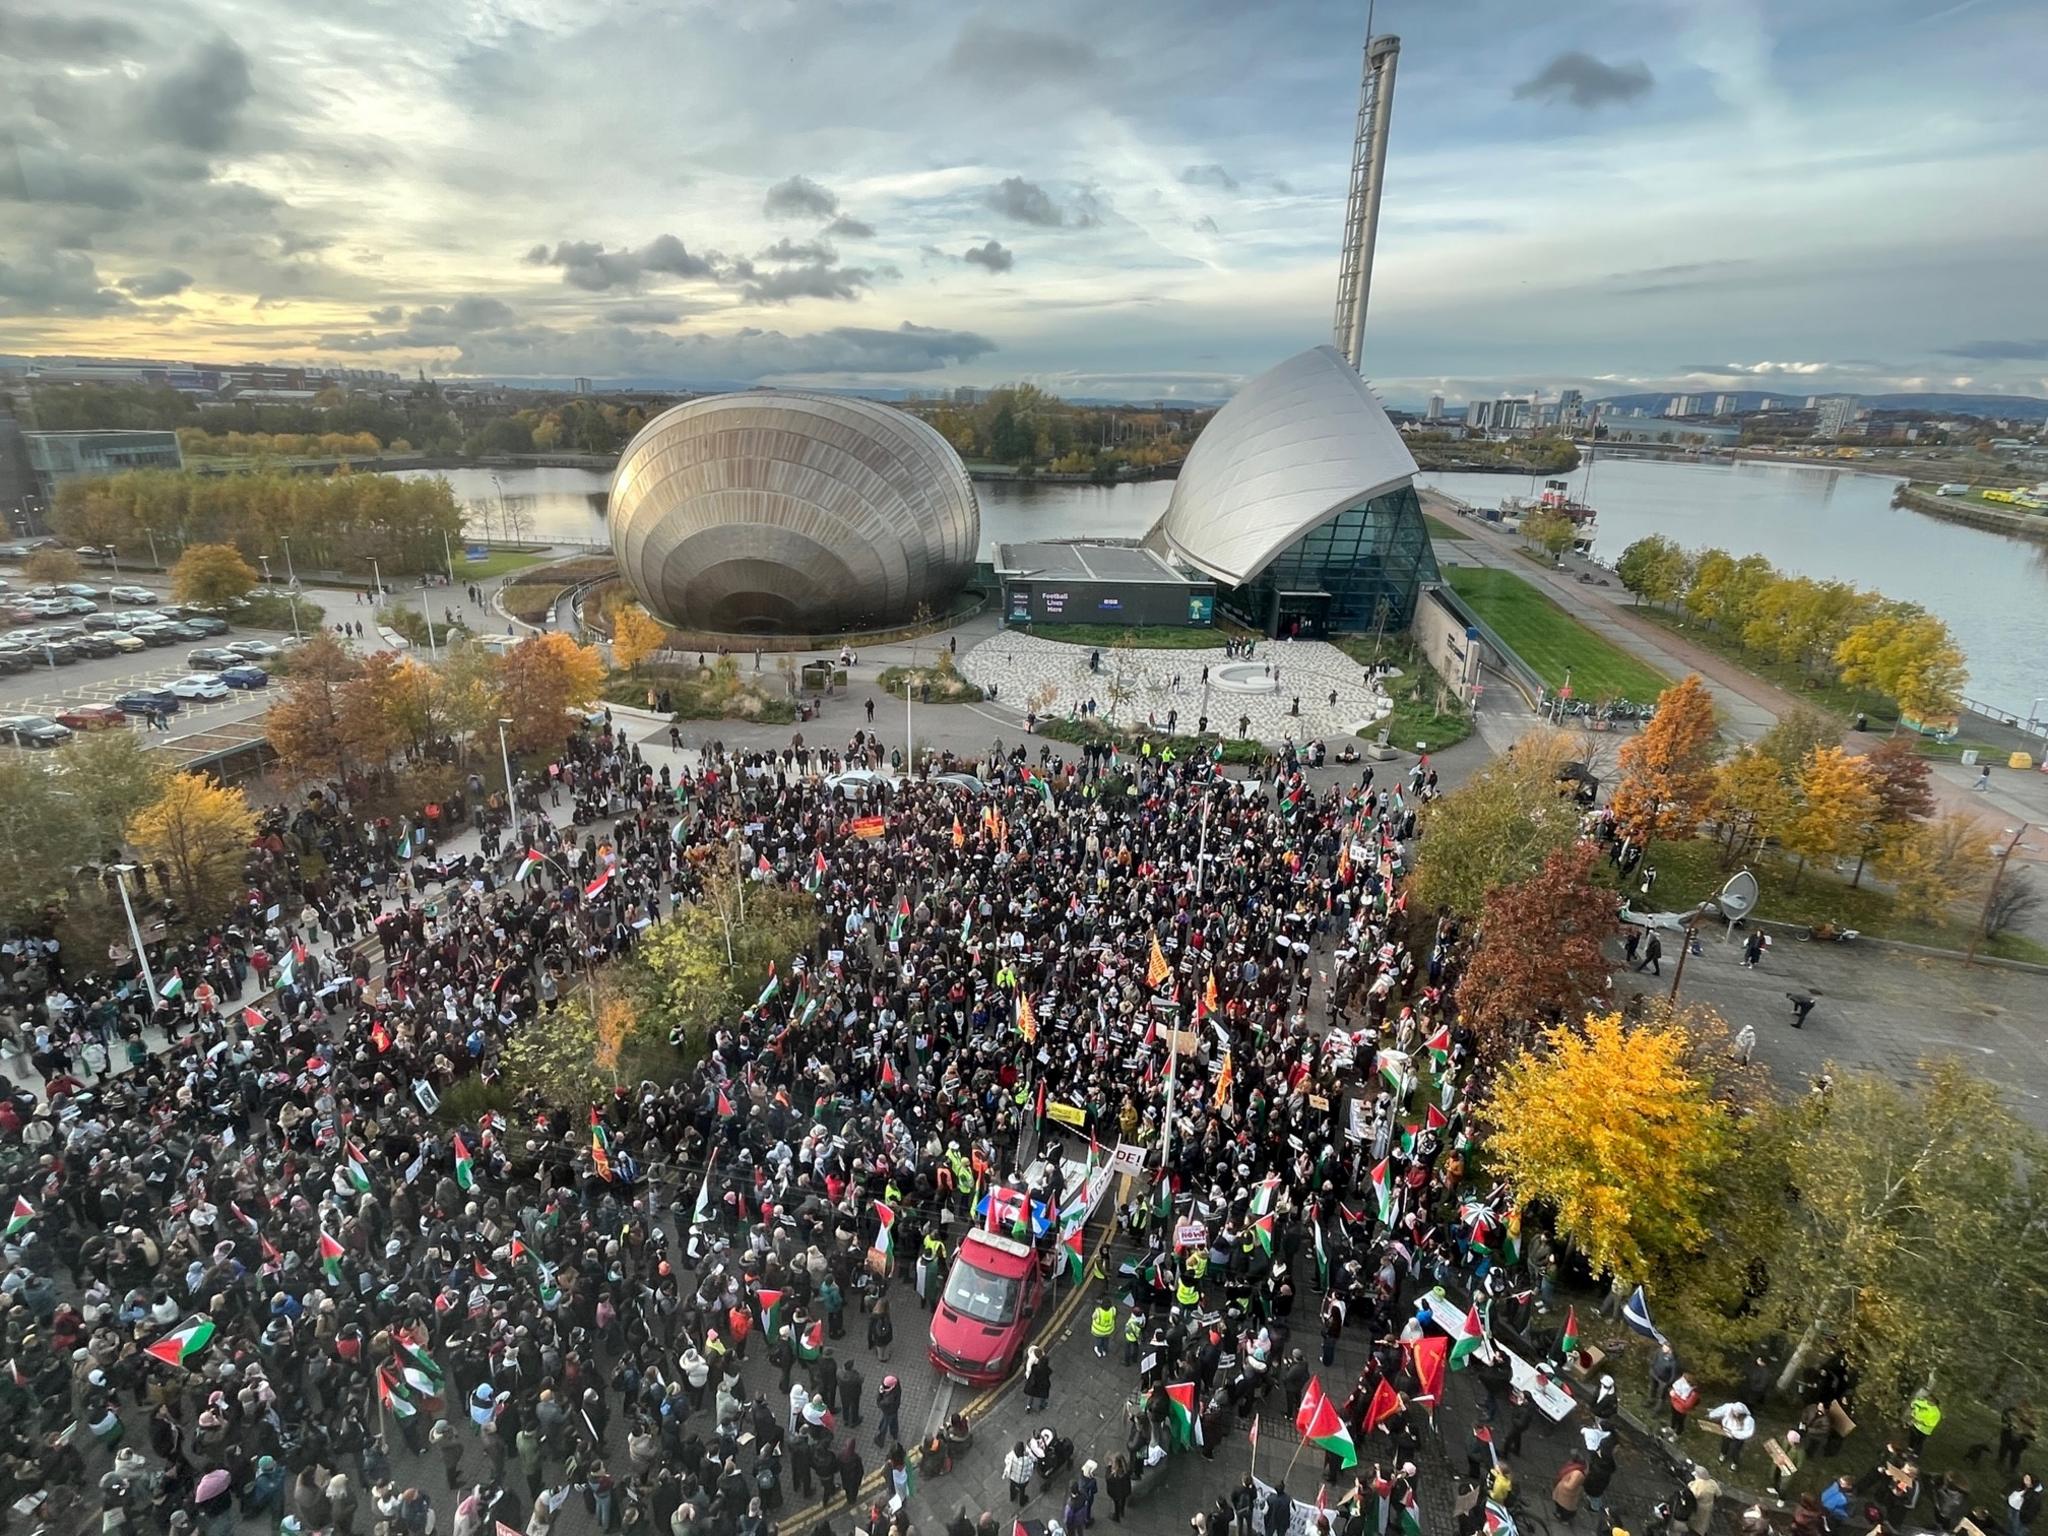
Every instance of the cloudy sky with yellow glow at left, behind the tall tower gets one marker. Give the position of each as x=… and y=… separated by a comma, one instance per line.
x=1105, y=200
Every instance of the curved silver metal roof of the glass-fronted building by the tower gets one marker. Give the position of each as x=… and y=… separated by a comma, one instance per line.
x=1293, y=450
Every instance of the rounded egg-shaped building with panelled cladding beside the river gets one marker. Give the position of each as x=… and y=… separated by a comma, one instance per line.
x=792, y=513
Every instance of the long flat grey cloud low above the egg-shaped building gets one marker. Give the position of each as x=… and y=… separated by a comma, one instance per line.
x=626, y=353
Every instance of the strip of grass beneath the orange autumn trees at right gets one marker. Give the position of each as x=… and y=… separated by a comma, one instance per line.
x=1691, y=871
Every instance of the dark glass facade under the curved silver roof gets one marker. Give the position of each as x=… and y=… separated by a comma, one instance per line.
x=1347, y=577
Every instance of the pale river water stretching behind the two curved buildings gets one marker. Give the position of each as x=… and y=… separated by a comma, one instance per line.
x=1809, y=521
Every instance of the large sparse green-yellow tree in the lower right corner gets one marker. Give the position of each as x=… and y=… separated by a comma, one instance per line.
x=1916, y=1242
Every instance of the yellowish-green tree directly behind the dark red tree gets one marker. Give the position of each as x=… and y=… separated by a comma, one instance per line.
x=1498, y=826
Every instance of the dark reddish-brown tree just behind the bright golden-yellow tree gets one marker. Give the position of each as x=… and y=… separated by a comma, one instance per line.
x=1539, y=949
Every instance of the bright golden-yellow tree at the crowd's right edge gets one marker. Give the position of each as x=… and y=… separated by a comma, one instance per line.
x=1619, y=1132
